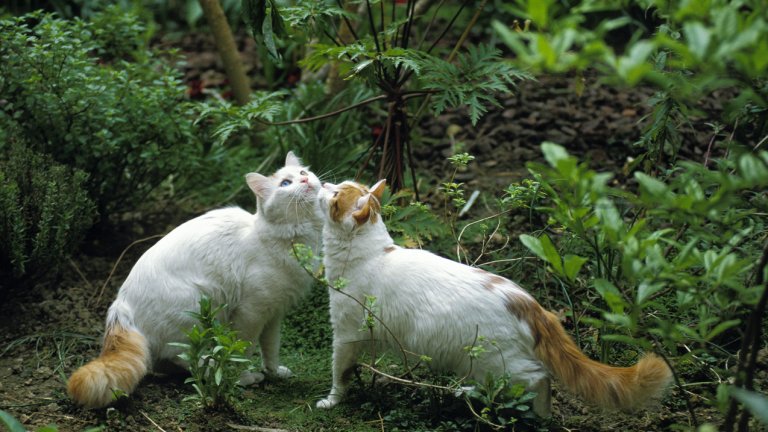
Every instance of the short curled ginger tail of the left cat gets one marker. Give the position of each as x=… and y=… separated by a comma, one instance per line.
x=123, y=362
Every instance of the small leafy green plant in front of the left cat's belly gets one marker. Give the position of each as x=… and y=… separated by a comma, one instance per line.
x=215, y=357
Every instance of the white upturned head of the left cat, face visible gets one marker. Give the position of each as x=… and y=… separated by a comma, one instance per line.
x=289, y=195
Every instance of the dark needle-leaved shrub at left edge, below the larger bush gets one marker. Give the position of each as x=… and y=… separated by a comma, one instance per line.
x=44, y=212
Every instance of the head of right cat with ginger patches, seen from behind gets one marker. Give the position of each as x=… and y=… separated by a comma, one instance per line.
x=351, y=204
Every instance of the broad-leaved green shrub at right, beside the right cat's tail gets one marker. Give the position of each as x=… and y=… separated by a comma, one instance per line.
x=673, y=264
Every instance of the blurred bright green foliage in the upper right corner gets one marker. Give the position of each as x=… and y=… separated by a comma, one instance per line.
x=686, y=50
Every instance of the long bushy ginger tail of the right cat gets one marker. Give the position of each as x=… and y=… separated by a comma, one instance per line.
x=621, y=388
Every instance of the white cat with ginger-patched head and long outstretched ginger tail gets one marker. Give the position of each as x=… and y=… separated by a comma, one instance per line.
x=437, y=307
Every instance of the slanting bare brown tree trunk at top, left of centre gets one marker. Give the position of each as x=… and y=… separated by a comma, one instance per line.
x=225, y=44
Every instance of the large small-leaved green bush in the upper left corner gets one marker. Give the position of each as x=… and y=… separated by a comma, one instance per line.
x=123, y=122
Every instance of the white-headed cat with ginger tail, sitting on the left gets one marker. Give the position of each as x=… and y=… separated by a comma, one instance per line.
x=229, y=255
